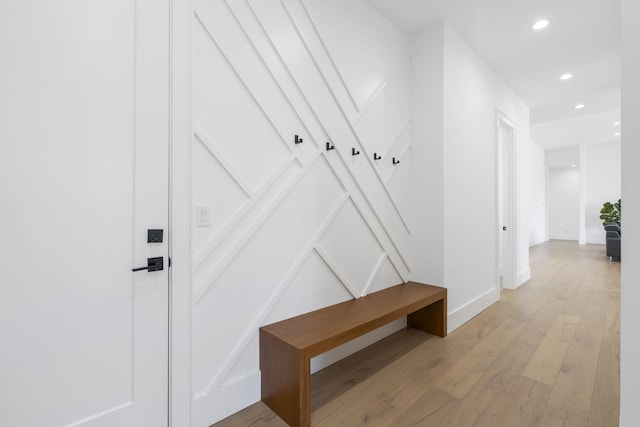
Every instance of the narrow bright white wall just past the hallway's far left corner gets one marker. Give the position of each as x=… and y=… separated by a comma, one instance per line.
x=537, y=195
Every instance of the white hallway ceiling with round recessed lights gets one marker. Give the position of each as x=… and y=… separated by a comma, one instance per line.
x=583, y=39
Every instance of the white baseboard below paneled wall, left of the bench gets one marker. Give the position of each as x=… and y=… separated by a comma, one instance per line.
x=226, y=400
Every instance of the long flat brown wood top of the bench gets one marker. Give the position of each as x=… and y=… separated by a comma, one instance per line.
x=321, y=330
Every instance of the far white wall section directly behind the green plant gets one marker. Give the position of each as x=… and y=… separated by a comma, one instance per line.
x=603, y=184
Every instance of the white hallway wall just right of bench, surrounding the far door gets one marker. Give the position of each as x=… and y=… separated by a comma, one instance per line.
x=472, y=95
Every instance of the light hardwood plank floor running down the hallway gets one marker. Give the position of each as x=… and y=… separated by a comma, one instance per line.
x=547, y=354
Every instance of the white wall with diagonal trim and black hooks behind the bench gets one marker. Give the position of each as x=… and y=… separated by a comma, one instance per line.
x=285, y=228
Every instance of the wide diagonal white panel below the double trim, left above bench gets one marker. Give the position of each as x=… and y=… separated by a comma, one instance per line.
x=239, y=293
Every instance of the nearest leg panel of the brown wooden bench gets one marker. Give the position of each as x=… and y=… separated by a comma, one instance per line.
x=286, y=381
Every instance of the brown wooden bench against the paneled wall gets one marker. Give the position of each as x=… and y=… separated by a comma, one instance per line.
x=287, y=347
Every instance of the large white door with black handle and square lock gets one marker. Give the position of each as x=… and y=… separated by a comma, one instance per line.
x=83, y=175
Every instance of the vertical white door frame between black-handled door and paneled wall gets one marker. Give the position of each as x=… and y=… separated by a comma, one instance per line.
x=180, y=217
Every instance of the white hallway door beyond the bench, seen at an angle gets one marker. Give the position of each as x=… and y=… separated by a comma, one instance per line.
x=506, y=203
